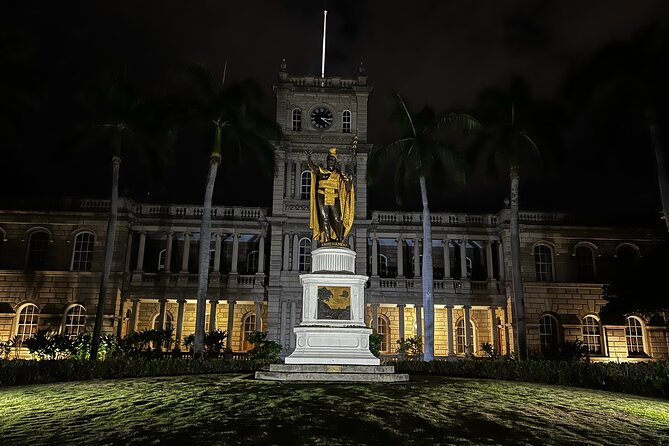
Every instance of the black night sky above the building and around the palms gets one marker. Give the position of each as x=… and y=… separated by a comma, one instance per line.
x=58, y=56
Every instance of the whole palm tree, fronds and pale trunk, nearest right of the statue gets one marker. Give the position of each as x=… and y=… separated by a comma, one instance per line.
x=419, y=155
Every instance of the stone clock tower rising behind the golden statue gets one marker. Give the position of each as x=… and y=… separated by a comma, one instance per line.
x=315, y=113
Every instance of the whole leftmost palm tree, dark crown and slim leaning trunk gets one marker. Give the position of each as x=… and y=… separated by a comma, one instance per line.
x=123, y=108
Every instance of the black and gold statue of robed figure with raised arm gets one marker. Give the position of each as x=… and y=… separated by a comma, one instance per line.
x=332, y=201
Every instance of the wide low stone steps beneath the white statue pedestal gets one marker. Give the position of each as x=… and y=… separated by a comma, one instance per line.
x=332, y=373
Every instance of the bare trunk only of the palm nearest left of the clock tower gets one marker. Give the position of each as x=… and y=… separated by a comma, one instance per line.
x=203, y=268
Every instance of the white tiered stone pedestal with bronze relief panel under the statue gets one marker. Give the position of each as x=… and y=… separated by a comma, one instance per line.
x=333, y=330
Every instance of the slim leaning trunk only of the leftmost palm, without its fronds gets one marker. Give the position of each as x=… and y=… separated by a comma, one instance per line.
x=109, y=255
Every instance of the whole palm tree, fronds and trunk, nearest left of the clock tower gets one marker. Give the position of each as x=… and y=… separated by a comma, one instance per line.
x=230, y=113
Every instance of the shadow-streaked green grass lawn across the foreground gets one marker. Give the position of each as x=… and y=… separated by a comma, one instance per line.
x=233, y=409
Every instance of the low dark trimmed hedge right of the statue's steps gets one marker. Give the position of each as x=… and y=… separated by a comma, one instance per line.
x=645, y=378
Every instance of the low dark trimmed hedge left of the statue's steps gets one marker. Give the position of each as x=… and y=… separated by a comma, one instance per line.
x=19, y=372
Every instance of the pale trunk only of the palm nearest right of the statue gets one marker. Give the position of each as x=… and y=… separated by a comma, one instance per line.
x=428, y=283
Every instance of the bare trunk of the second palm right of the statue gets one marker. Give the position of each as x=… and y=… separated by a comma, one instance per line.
x=518, y=286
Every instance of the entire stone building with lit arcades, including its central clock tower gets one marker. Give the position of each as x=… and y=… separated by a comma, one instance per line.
x=51, y=261
